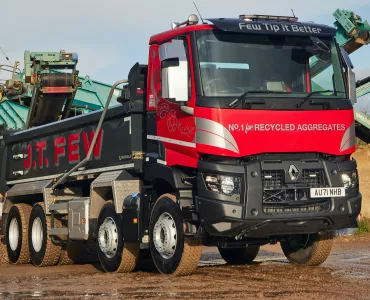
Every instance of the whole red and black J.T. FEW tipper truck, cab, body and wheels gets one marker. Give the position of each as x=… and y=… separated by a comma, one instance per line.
x=237, y=133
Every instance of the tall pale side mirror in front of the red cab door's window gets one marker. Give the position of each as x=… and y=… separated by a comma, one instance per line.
x=175, y=70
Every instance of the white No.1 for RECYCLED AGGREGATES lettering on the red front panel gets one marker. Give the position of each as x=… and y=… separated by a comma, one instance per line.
x=285, y=127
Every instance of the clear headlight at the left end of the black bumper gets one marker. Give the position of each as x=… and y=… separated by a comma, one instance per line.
x=227, y=185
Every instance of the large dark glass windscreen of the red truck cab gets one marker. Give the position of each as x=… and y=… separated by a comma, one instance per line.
x=233, y=63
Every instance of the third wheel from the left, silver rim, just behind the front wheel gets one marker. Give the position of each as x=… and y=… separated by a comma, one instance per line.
x=114, y=255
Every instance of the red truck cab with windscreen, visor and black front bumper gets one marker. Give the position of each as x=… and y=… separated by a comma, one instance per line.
x=257, y=112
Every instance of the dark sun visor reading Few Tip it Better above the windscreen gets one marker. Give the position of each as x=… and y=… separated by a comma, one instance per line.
x=268, y=27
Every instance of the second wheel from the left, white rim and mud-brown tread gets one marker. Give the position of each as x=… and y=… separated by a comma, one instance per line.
x=42, y=249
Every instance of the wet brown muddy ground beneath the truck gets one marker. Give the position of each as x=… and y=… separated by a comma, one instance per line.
x=345, y=275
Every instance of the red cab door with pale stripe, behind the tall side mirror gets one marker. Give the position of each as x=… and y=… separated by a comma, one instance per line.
x=171, y=86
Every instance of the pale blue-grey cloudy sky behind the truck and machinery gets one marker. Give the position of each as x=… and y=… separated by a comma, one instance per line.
x=111, y=35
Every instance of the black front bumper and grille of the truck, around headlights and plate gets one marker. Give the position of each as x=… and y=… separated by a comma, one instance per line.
x=271, y=204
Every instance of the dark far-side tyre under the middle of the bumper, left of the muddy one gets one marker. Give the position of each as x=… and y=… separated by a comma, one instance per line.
x=239, y=256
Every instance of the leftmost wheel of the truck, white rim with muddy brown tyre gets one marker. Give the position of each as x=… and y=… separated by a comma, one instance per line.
x=17, y=234
